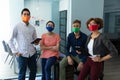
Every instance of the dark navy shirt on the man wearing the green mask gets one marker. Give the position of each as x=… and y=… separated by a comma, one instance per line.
x=73, y=44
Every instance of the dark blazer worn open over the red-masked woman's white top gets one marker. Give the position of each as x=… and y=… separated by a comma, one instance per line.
x=102, y=46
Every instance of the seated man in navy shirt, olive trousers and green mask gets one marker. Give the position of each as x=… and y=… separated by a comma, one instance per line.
x=75, y=49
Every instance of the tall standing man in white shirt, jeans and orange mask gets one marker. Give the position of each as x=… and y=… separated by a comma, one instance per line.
x=24, y=33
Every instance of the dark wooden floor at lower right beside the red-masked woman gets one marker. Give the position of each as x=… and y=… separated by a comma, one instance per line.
x=112, y=69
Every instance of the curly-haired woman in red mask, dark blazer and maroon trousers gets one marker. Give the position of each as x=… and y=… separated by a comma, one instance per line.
x=99, y=49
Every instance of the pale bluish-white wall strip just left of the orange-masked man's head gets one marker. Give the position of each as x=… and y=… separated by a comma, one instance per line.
x=15, y=7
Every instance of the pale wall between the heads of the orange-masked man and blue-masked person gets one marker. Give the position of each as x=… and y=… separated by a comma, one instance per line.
x=40, y=10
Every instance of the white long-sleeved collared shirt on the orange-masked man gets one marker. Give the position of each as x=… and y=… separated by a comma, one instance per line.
x=24, y=35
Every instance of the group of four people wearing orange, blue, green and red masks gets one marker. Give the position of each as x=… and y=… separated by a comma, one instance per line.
x=88, y=52
